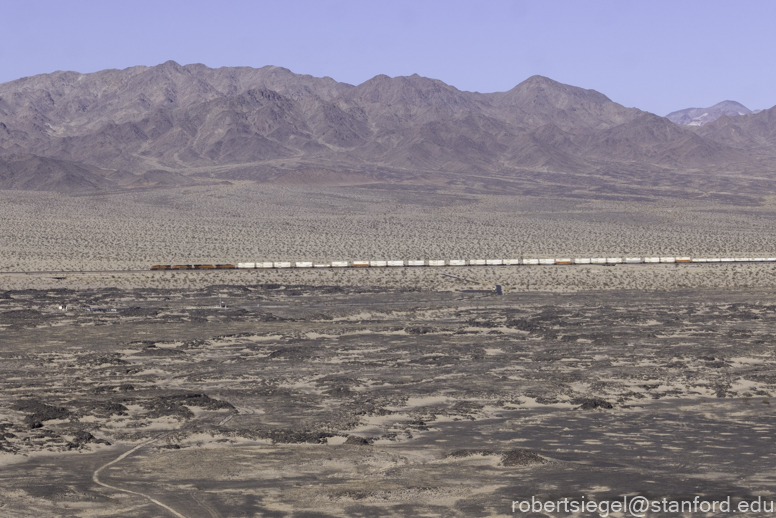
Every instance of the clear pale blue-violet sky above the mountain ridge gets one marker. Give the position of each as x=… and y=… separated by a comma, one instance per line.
x=656, y=55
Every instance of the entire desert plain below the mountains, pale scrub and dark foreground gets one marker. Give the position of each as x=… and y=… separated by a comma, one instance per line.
x=377, y=392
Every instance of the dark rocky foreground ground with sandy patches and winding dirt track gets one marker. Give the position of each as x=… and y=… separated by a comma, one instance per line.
x=330, y=401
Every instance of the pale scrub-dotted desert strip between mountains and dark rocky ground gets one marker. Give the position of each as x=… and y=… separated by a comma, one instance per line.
x=253, y=222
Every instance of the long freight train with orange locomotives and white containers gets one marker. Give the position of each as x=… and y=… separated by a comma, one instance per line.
x=606, y=261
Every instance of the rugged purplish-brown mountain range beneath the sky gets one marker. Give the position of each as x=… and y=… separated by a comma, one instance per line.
x=158, y=126
